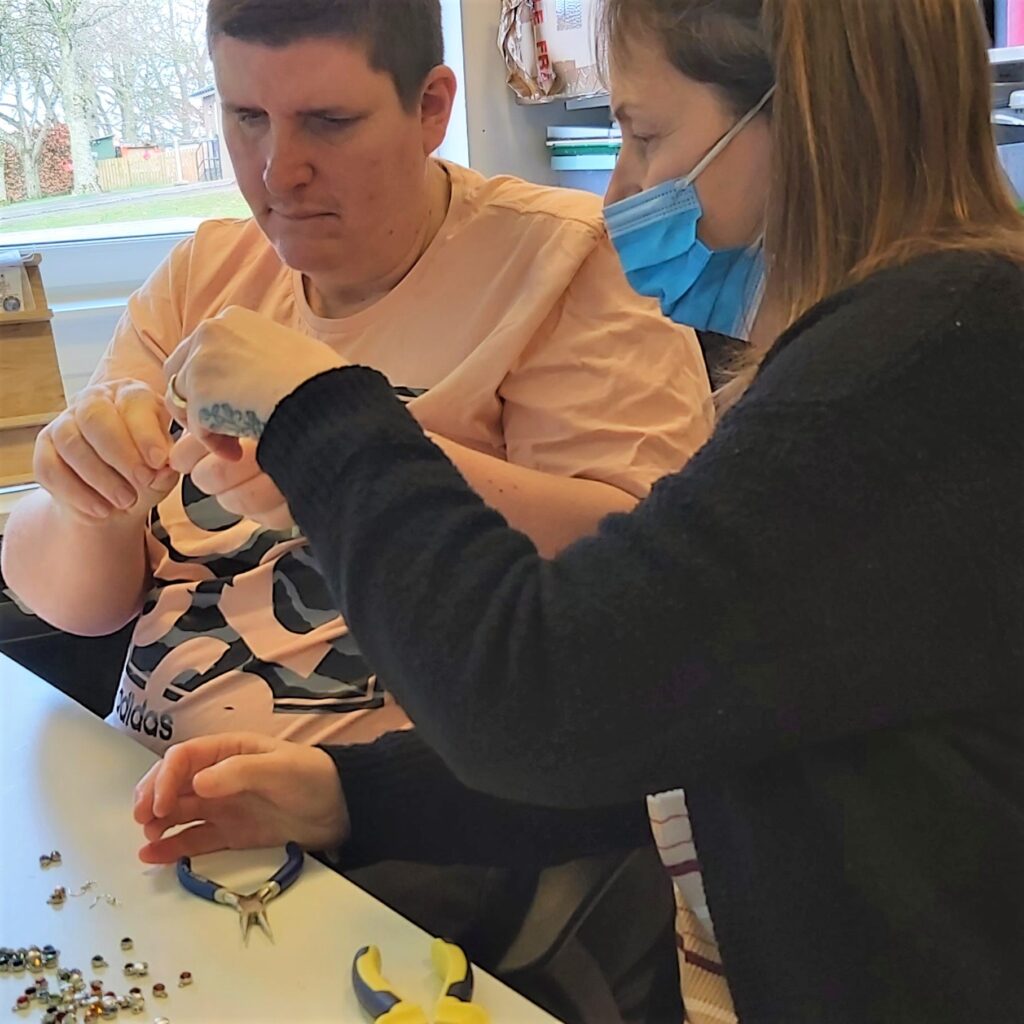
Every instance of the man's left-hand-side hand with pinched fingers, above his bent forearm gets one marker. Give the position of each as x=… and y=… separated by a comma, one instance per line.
x=107, y=454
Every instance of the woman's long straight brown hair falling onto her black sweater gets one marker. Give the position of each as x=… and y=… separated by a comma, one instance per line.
x=882, y=129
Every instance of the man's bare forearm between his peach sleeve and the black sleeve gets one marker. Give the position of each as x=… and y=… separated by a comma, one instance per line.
x=552, y=511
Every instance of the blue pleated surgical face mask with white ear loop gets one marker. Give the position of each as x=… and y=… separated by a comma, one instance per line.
x=656, y=235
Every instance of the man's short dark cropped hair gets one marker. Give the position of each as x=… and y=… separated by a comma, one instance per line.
x=402, y=37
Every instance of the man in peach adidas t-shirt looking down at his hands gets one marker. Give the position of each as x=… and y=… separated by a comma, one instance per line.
x=497, y=309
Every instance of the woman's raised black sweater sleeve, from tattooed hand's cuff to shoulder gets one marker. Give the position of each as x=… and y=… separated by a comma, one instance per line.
x=812, y=574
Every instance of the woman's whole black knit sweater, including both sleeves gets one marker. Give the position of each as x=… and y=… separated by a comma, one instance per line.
x=817, y=628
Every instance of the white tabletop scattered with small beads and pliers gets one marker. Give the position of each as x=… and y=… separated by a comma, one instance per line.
x=66, y=784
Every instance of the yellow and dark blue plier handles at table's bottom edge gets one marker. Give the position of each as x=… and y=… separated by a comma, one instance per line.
x=385, y=1006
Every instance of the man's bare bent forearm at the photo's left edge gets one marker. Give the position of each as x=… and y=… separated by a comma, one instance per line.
x=82, y=578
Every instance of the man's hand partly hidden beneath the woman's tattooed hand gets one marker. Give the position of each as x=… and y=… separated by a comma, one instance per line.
x=241, y=488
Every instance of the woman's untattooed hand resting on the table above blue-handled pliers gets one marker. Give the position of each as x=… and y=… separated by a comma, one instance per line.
x=240, y=791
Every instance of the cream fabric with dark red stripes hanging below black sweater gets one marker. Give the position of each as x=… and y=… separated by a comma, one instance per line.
x=706, y=993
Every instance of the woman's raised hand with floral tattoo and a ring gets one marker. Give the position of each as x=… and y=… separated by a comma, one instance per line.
x=230, y=375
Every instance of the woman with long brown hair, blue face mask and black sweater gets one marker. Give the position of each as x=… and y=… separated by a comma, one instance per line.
x=809, y=645
